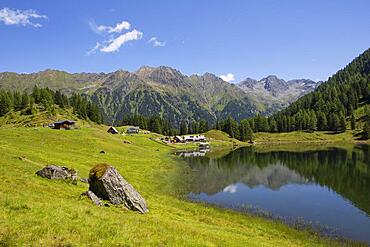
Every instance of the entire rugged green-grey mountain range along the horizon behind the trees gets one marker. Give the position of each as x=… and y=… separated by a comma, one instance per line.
x=167, y=92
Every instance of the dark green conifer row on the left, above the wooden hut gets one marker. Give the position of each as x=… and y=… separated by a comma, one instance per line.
x=47, y=99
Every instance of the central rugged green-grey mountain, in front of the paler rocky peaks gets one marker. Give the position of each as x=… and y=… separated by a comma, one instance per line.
x=176, y=97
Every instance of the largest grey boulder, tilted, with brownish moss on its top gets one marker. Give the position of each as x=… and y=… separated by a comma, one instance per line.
x=106, y=183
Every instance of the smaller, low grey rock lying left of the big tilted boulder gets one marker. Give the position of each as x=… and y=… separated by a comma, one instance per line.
x=58, y=172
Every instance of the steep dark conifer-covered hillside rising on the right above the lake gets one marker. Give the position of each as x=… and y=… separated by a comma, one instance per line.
x=334, y=102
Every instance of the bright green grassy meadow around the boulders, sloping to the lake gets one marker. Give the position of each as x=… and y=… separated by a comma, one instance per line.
x=37, y=211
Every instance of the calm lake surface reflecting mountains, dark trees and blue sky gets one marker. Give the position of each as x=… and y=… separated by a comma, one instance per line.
x=330, y=186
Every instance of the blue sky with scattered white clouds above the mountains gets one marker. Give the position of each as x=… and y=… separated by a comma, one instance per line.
x=291, y=39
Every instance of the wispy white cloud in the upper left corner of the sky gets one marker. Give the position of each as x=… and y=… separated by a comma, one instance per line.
x=20, y=17
